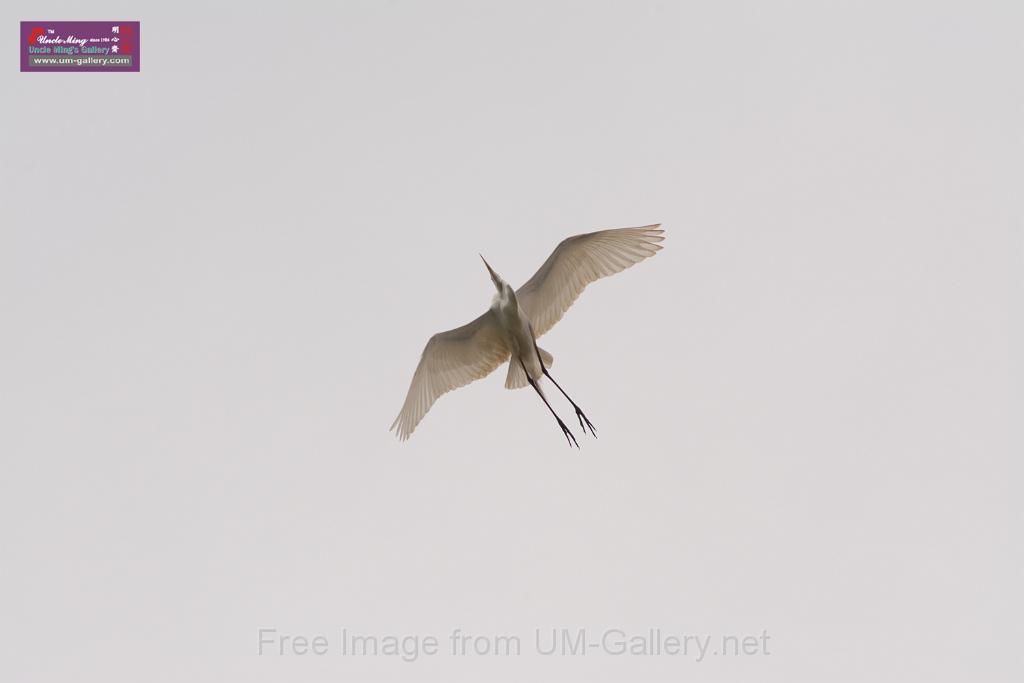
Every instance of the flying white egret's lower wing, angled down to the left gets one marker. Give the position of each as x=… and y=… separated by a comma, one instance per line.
x=451, y=360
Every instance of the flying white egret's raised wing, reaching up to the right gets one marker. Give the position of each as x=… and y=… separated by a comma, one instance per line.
x=577, y=263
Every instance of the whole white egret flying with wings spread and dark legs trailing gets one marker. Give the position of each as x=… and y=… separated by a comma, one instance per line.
x=509, y=329
